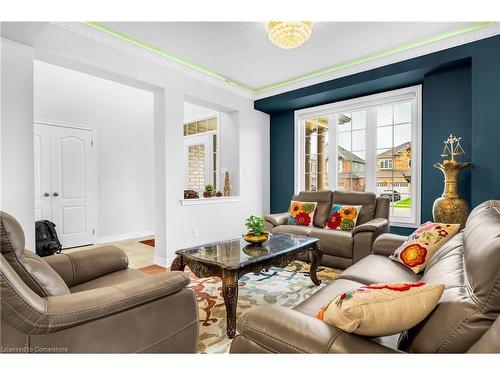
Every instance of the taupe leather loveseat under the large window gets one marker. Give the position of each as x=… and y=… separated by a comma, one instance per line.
x=340, y=249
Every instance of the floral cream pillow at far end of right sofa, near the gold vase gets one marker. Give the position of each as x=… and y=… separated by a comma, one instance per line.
x=422, y=244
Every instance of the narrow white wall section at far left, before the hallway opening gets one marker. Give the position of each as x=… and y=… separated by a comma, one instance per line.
x=17, y=174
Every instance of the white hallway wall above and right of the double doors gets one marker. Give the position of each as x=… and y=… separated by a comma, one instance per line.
x=122, y=117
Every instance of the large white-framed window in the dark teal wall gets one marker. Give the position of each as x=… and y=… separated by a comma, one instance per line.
x=376, y=142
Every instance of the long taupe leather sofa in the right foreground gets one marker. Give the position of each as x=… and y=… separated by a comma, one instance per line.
x=466, y=319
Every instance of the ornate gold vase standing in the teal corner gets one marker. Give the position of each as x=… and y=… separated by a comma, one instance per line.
x=451, y=208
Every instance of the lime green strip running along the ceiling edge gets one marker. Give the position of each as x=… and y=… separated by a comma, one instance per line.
x=310, y=75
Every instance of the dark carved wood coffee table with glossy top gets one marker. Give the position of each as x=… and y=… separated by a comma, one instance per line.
x=231, y=259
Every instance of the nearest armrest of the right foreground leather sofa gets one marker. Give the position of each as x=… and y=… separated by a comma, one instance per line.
x=283, y=330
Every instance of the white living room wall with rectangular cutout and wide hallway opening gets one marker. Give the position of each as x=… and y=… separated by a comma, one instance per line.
x=174, y=224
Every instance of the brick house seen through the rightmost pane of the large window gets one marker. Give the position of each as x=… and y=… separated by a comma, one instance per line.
x=394, y=170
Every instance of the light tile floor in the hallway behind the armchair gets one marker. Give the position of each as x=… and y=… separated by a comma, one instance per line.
x=139, y=254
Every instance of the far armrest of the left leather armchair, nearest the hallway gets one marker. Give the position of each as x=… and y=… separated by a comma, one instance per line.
x=81, y=266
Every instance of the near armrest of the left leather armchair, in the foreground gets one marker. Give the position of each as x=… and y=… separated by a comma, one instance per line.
x=70, y=310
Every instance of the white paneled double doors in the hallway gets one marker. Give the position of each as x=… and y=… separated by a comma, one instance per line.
x=71, y=182
